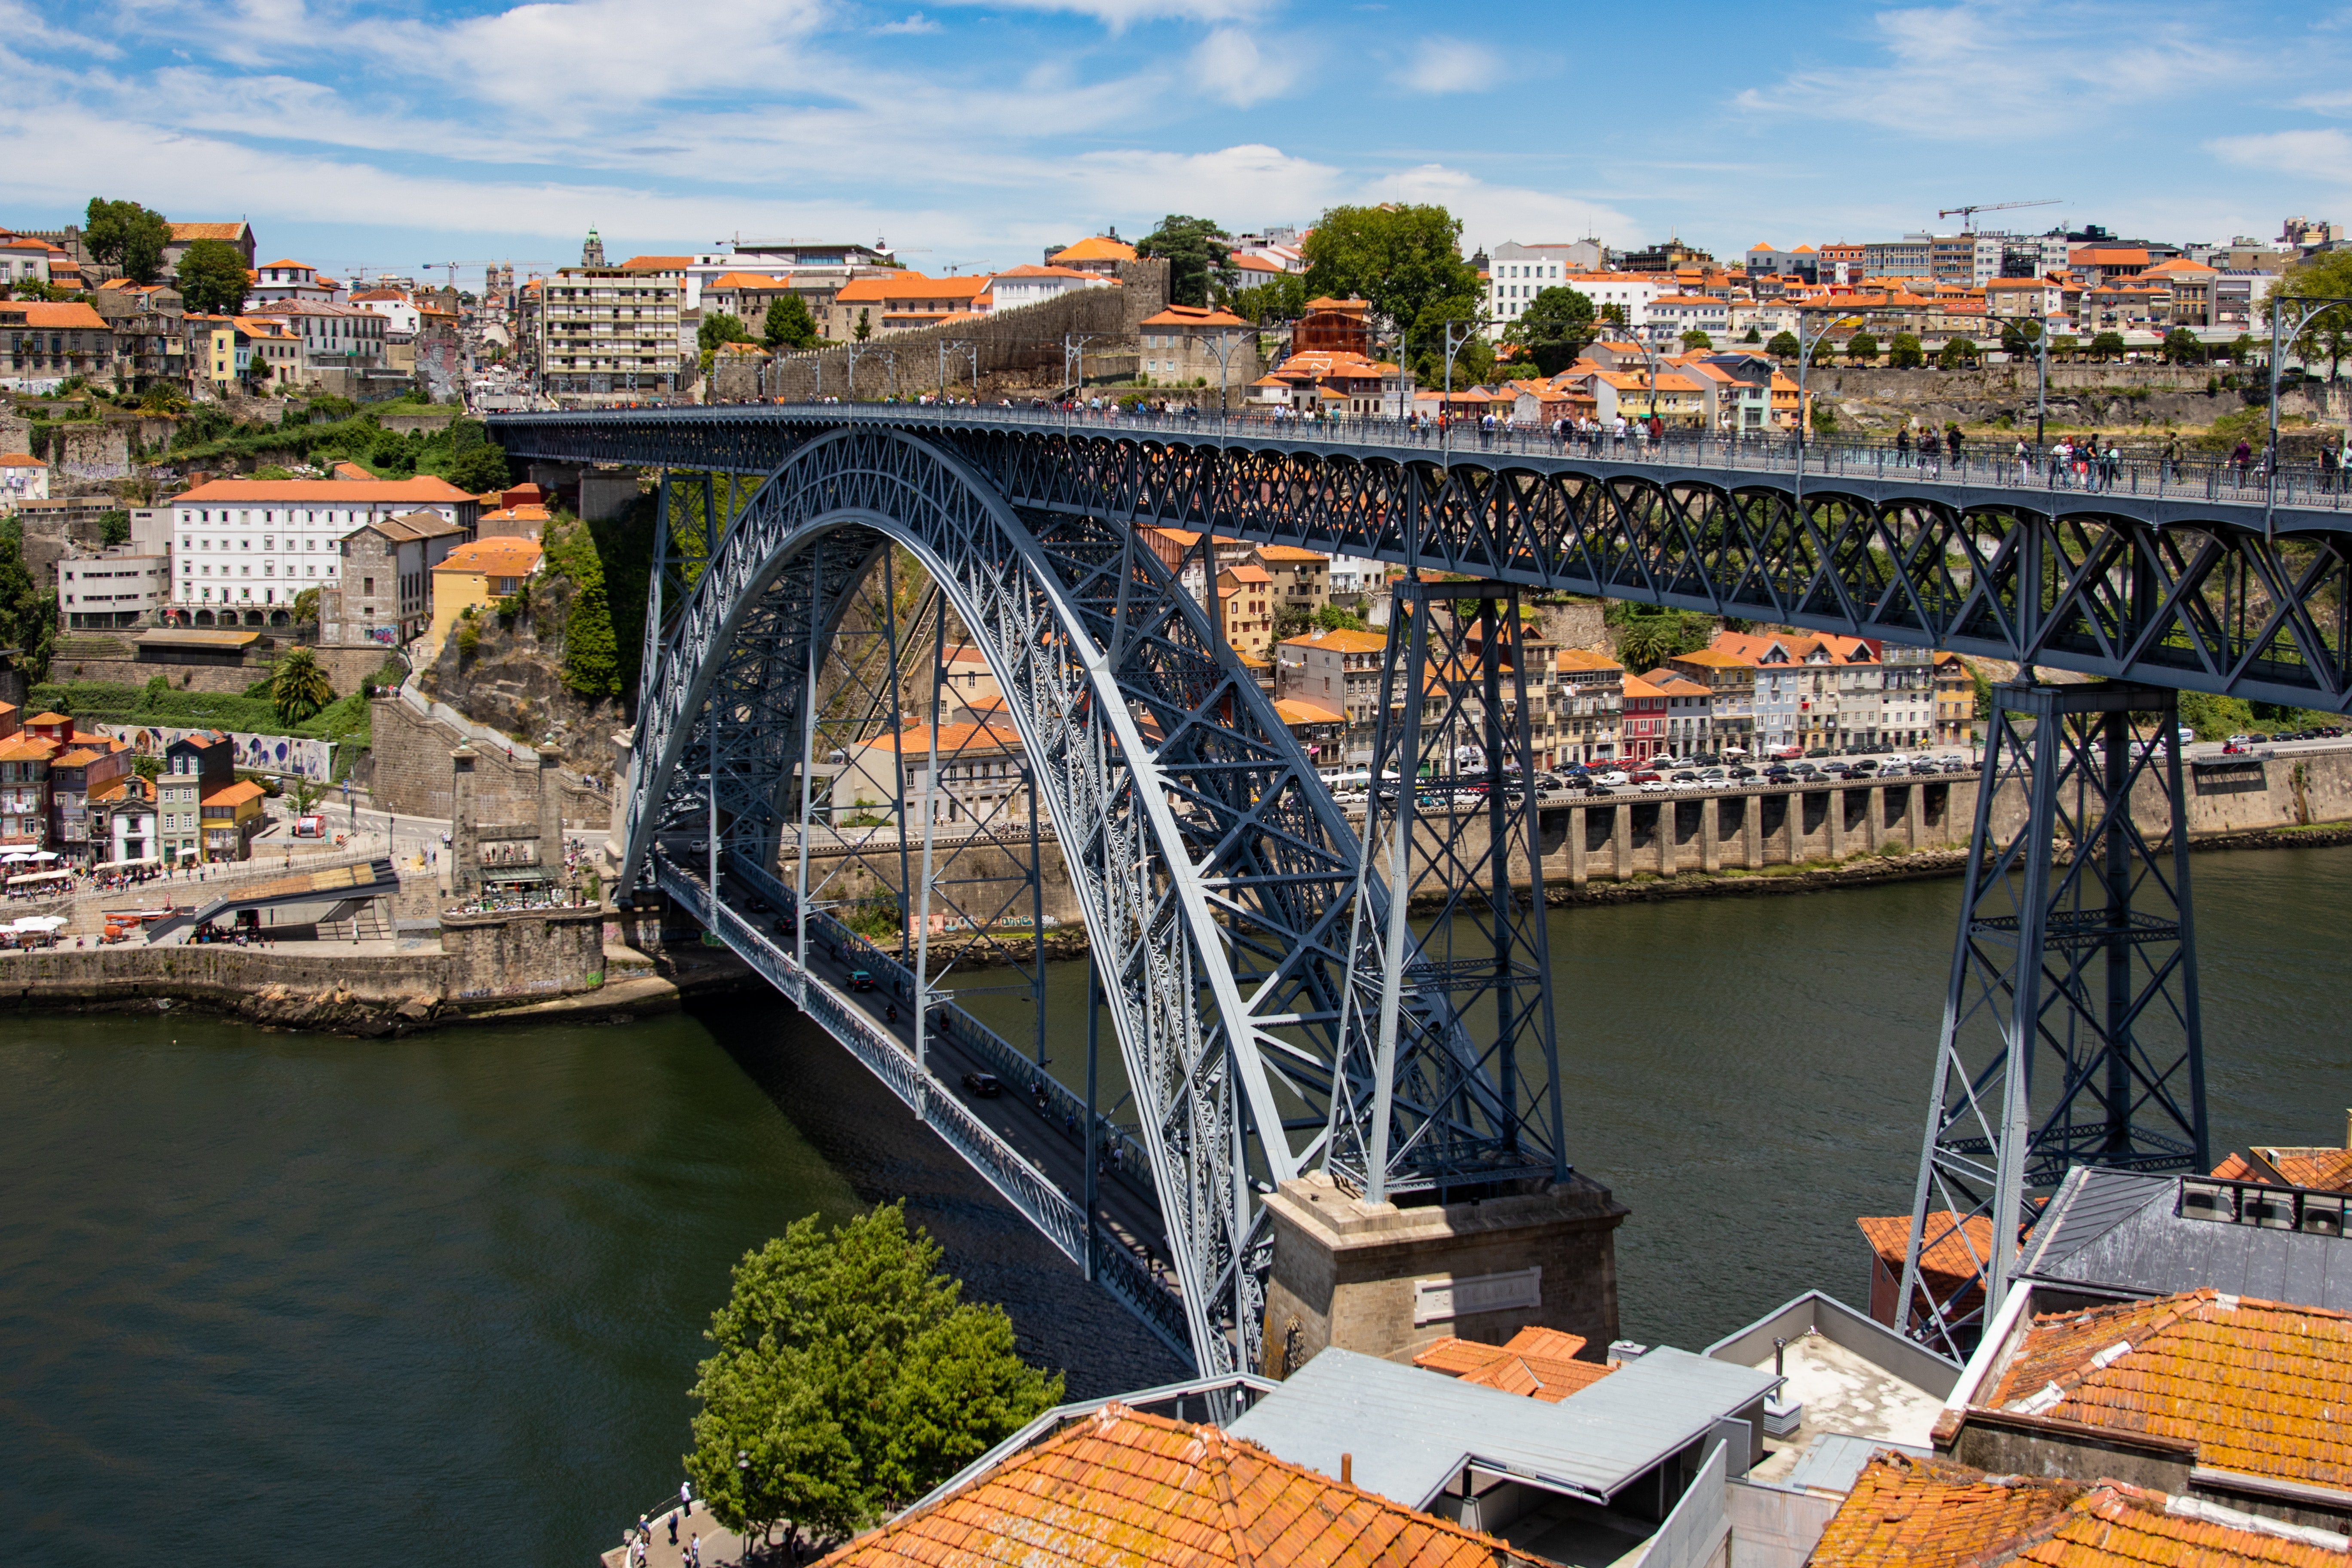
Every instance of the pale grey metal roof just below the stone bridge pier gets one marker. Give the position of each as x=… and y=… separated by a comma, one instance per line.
x=1410, y=1433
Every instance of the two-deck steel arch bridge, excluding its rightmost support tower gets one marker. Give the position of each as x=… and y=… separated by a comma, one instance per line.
x=1241, y=934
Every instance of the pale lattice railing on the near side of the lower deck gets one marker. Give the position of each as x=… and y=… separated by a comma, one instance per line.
x=1003, y=1167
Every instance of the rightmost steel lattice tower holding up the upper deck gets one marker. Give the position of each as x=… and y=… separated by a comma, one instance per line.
x=2071, y=1028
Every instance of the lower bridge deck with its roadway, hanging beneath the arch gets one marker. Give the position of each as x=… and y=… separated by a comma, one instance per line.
x=1029, y=1144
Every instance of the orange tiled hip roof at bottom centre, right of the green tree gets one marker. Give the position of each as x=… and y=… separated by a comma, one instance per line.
x=1123, y=1487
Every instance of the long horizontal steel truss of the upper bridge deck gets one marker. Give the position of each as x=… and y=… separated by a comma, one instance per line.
x=2165, y=591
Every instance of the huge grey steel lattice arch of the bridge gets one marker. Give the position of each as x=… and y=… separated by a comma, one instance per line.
x=1252, y=887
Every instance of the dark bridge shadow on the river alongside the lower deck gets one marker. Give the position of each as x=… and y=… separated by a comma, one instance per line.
x=874, y=1144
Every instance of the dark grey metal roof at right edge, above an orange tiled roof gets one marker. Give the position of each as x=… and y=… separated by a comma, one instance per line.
x=2120, y=1231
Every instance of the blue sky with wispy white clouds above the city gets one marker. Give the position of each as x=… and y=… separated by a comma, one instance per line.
x=970, y=135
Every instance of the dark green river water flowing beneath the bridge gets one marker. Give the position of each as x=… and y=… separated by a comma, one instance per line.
x=300, y=1296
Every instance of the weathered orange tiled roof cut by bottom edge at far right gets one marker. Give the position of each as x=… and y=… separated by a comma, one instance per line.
x=1920, y=1513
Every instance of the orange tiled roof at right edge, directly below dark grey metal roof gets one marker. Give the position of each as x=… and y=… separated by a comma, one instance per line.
x=2252, y=1386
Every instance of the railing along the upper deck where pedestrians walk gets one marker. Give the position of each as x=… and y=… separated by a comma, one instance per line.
x=2139, y=474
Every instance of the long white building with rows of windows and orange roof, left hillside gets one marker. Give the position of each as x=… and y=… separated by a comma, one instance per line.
x=246, y=549
